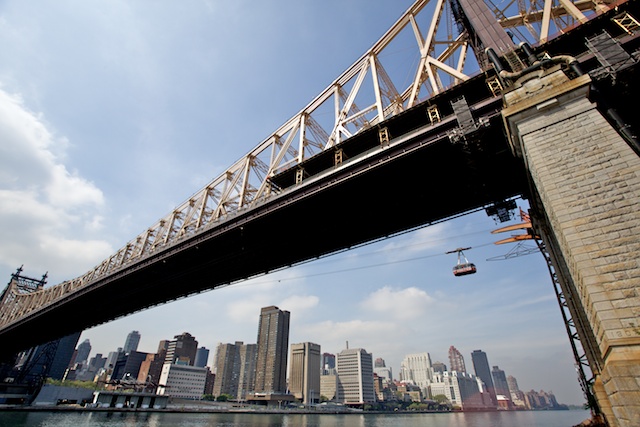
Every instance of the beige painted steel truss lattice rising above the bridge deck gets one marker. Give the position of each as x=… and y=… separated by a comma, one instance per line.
x=423, y=53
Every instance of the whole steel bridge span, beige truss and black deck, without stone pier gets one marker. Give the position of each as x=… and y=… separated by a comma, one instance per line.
x=373, y=155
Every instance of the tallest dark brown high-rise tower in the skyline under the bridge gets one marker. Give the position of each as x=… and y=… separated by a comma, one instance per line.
x=273, y=344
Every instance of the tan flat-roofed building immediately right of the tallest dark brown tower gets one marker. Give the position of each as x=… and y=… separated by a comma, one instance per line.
x=304, y=375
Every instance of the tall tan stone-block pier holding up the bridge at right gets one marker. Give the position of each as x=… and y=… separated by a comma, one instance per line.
x=586, y=184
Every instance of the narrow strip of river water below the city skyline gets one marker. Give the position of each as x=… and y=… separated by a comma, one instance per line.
x=157, y=419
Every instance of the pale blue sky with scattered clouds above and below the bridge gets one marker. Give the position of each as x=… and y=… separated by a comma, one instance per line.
x=113, y=113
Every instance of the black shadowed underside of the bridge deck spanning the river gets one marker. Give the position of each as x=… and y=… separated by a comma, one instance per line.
x=375, y=193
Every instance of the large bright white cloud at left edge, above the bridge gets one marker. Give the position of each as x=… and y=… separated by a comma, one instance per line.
x=45, y=210
